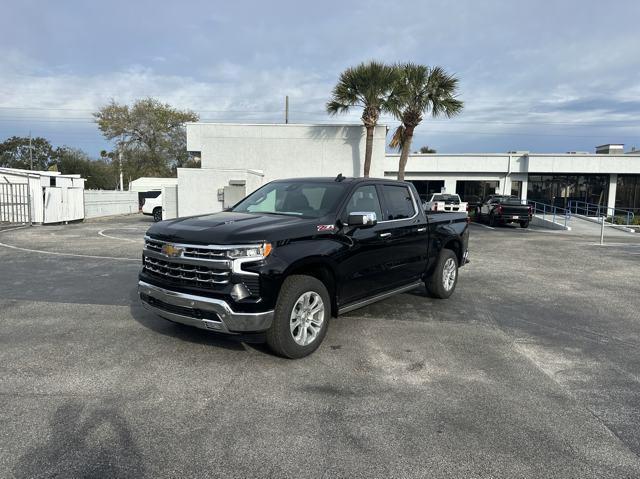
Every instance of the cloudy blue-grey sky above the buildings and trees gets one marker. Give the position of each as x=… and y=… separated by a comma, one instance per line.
x=543, y=76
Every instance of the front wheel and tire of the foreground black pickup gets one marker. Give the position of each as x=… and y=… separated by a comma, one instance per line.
x=290, y=341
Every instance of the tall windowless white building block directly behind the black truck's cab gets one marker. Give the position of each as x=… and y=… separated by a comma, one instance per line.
x=238, y=158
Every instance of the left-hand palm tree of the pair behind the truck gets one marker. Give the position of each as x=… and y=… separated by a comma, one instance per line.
x=370, y=86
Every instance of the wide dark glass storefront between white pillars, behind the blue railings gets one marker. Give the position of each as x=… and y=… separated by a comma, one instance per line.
x=558, y=190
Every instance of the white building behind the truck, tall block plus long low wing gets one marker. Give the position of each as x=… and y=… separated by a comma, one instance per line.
x=238, y=158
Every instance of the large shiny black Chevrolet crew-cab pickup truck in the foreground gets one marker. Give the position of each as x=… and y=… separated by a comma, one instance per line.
x=296, y=252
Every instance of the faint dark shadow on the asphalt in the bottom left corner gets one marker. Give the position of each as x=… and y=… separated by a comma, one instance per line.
x=84, y=441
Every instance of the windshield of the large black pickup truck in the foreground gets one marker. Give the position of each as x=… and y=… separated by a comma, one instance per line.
x=299, y=198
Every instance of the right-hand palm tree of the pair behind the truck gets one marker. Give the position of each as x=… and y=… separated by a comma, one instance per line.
x=422, y=90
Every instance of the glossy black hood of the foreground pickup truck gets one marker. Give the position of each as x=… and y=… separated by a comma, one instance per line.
x=234, y=228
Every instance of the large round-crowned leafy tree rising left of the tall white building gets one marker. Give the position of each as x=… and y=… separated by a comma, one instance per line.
x=150, y=134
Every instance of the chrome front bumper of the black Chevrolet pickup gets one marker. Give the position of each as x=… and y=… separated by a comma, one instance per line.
x=201, y=312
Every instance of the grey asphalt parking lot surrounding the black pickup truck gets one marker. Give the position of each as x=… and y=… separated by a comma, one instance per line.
x=529, y=370
